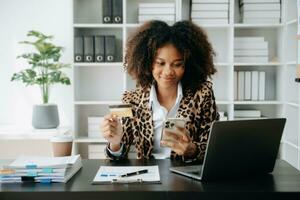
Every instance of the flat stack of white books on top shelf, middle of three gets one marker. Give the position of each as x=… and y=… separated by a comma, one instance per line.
x=210, y=11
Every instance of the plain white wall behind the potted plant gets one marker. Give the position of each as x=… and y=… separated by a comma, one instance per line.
x=17, y=17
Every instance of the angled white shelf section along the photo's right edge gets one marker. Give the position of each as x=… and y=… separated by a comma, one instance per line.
x=291, y=139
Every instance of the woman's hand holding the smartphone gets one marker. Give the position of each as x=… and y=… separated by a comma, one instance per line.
x=180, y=142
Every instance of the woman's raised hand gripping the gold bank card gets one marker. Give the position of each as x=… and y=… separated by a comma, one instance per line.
x=112, y=131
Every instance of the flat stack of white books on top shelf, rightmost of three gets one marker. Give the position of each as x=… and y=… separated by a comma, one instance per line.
x=260, y=11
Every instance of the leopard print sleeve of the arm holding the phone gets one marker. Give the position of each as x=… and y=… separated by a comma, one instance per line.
x=201, y=110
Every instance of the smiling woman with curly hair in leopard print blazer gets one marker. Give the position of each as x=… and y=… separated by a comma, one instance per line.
x=171, y=65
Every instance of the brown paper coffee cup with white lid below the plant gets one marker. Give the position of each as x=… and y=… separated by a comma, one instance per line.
x=62, y=145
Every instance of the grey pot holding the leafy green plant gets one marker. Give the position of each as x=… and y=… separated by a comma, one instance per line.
x=45, y=116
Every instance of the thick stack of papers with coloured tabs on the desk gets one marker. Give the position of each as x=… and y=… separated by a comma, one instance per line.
x=40, y=169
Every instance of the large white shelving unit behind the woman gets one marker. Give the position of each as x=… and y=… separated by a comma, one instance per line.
x=99, y=84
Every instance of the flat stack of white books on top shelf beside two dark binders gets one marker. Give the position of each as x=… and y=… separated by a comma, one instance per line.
x=156, y=11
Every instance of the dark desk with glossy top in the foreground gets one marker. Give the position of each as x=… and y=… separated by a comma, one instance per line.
x=283, y=183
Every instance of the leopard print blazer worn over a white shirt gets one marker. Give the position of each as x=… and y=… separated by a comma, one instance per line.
x=199, y=109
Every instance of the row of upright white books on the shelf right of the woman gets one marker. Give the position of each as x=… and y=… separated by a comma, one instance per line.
x=249, y=85
